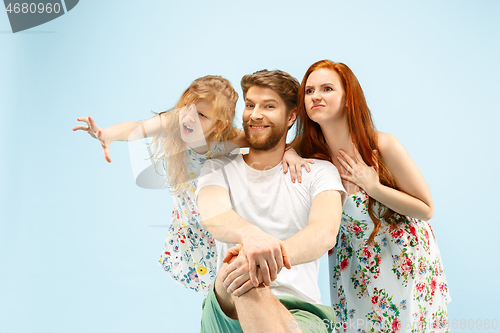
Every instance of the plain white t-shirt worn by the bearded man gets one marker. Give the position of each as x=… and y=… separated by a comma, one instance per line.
x=270, y=200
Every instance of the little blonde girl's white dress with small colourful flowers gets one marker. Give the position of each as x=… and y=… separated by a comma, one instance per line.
x=189, y=255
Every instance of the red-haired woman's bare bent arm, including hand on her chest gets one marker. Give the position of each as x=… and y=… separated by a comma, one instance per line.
x=413, y=197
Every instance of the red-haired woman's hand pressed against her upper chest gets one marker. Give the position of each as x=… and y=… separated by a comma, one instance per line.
x=358, y=172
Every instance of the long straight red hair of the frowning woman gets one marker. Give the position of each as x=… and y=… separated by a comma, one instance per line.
x=310, y=141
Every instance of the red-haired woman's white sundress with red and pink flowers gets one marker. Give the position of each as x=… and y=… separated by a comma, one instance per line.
x=396, y=285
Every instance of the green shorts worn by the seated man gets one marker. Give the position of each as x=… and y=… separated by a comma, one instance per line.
x=311, y=318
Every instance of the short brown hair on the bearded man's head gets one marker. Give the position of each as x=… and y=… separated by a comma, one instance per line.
x=285, y=85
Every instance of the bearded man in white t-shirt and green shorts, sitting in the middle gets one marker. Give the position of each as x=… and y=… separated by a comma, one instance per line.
x=247, y=200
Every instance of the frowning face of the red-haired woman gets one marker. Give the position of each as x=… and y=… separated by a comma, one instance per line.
x=324, y=96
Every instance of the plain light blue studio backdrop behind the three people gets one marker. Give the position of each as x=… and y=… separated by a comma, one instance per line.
x=80, y=242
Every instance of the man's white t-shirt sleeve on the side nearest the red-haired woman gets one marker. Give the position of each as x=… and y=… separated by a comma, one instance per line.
x=326, y=177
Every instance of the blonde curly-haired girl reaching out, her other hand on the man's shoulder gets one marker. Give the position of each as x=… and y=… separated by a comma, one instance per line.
x=200, y=127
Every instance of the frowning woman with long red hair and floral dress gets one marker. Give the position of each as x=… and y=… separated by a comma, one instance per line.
x=385, y=270
